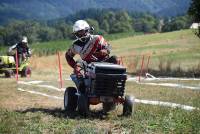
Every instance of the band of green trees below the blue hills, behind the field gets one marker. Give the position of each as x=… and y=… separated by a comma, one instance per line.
x=104, y=21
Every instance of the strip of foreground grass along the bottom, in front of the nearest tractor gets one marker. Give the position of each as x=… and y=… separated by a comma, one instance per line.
x=146, y=119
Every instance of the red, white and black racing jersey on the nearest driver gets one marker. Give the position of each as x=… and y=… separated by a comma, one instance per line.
x=88, y=51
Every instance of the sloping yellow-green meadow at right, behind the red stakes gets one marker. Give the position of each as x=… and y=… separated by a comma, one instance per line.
x=180, y=47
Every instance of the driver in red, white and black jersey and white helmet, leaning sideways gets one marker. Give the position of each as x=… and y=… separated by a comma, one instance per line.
x=91, y=48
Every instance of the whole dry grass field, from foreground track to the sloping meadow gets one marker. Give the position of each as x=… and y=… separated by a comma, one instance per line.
x=23, y=112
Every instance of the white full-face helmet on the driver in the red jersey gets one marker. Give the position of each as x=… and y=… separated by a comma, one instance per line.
x=81, y=30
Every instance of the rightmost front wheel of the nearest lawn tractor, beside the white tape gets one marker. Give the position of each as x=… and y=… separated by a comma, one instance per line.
x=128, y=106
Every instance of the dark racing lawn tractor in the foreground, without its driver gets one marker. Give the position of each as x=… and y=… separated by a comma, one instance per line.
x=104, y=83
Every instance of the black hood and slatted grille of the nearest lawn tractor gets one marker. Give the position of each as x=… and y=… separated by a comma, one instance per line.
x=106, y=79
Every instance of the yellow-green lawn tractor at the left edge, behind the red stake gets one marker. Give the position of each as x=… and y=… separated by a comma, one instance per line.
x=8, y=67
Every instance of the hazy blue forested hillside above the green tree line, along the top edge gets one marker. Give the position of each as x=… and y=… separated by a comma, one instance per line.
x=50, y=9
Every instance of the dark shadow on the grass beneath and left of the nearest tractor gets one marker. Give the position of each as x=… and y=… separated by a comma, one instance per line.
x=60, y=113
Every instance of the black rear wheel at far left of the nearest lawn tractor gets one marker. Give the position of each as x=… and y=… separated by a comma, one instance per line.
x=70, y=99
